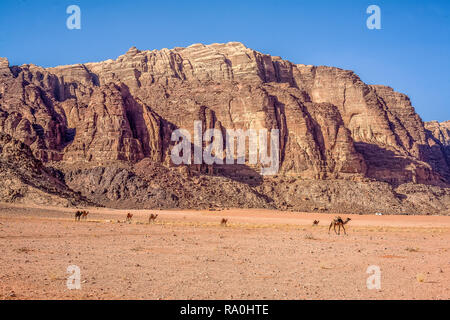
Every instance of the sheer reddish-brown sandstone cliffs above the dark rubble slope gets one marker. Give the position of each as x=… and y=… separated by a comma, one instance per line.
x=332, y=125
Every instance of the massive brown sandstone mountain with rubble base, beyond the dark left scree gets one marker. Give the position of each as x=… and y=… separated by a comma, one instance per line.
x=344, y=145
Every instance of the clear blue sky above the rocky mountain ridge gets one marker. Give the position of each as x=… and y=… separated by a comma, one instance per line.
x=411, y=53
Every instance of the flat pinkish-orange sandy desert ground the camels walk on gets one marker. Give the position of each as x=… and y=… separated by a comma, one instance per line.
x=185, y=254
